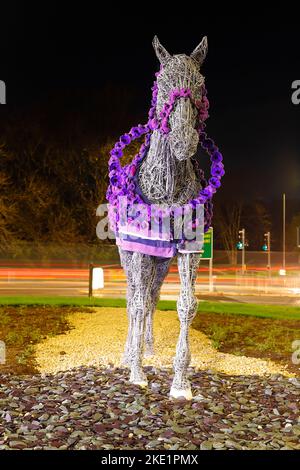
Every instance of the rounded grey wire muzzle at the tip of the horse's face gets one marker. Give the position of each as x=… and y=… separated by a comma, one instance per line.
x=184, y=142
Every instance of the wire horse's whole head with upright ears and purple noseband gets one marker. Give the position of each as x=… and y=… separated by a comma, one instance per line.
x=180, y=86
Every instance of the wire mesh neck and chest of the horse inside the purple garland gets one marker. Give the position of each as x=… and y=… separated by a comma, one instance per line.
x=164, y=179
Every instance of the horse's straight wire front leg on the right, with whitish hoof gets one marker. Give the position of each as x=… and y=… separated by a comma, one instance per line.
x=187, y=308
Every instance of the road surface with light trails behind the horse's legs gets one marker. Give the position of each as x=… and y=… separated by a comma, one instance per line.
x=66, y=281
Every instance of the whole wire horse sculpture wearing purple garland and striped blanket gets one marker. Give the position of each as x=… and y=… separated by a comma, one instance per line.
x=163, y=181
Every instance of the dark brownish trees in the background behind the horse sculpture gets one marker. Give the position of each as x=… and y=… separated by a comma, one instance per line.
x=53, y=174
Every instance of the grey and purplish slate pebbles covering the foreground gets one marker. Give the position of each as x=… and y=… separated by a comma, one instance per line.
x=96, y=408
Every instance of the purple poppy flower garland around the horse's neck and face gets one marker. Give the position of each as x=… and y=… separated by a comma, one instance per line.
x=122, y=178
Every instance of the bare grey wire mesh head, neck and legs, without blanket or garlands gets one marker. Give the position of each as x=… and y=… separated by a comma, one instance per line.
x=166, y=177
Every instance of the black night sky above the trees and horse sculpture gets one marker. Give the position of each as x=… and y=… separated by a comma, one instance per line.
x=252, y=61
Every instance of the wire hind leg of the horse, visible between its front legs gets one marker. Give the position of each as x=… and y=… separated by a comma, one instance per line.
x=162, y=266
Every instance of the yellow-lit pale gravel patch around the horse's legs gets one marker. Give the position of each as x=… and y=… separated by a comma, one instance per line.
x=98, y=338
